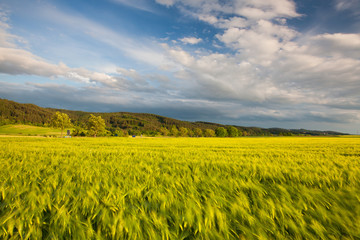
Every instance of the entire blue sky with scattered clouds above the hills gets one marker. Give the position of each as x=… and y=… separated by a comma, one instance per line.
x=280, y=63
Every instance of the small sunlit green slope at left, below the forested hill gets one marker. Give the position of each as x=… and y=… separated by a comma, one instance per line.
x=27, y=130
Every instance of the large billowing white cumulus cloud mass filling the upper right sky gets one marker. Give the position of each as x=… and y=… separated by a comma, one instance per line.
x=279, y=65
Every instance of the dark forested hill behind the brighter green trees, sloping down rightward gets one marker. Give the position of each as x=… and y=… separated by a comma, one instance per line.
x=13, y=113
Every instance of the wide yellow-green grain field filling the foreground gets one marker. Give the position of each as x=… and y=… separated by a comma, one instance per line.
x=180, y=188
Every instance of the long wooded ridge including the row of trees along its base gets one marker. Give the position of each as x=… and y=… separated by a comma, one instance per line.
x=126, y=123
